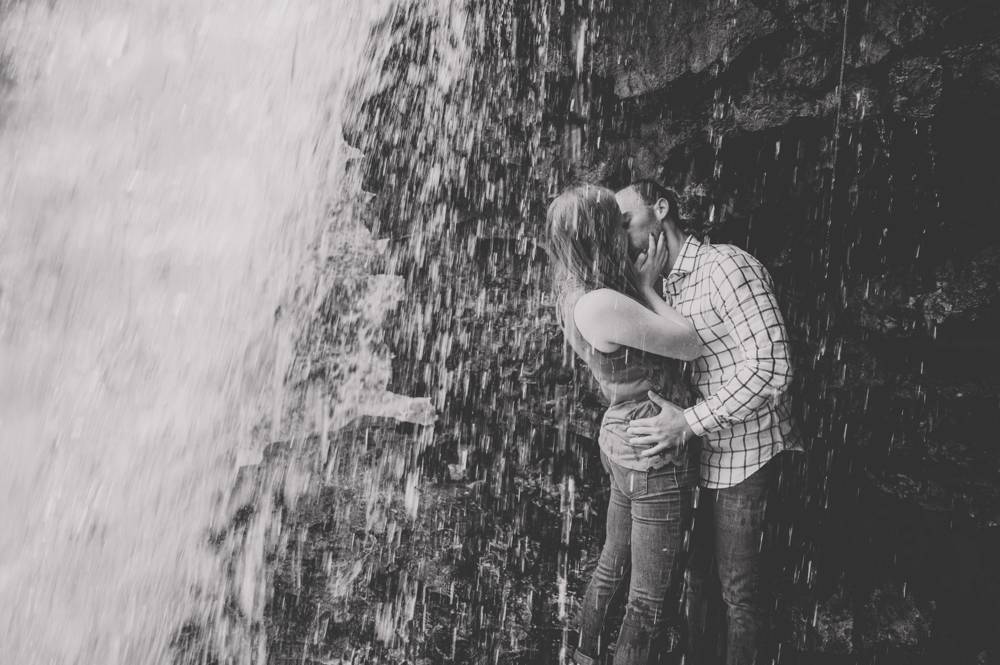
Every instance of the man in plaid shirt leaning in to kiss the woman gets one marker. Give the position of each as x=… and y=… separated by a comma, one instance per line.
x=743, y=418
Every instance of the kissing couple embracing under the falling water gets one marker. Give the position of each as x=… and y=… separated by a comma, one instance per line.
x=635, y=293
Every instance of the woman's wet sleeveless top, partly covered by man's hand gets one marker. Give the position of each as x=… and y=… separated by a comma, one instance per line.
x=625, y=377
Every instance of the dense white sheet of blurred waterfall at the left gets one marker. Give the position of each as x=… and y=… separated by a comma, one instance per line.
x=164, y=166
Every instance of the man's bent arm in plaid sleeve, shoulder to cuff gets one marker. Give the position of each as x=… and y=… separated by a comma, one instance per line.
x=743, y=295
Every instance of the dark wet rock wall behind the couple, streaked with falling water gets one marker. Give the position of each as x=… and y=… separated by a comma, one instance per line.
x=848, y=145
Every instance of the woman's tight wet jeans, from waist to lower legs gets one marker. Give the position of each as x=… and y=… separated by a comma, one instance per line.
x=648, y=513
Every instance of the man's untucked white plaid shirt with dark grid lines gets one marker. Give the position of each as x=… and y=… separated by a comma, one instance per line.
x=744, y=418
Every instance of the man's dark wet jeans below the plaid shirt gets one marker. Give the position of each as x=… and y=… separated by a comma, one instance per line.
x=728, y=534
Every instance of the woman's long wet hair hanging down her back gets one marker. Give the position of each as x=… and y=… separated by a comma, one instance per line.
x=587, y=247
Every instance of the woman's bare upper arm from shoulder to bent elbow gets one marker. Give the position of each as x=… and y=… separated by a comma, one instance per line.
x=609, y=319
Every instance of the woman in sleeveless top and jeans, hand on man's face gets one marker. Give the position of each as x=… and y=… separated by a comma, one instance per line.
x=623, y=342
